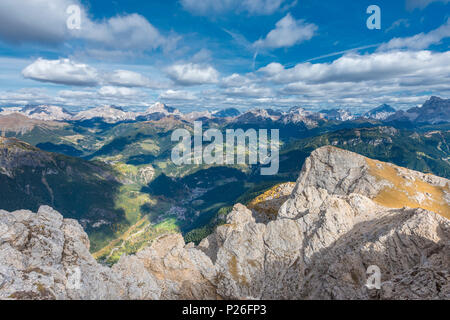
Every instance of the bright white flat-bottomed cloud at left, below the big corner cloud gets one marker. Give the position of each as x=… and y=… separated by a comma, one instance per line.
x=62, y=71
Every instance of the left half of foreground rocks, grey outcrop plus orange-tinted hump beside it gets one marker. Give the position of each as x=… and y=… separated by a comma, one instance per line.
x=43, y=256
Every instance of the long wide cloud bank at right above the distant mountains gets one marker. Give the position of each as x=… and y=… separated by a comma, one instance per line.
x=397, y=77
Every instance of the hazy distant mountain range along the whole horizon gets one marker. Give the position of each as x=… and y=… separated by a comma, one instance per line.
x=433, y=111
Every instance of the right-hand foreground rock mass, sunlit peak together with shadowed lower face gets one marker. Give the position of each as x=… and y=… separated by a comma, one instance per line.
x=333, y=227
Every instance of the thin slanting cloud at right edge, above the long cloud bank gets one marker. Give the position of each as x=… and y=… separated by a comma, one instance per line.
x=419, y=41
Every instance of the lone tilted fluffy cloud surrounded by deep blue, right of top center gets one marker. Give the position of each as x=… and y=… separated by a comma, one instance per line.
x=288, y=32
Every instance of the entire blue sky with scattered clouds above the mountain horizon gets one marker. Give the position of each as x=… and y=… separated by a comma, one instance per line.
x=213, y=54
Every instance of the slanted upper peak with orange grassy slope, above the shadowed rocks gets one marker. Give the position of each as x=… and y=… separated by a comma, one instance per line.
x=342, y=172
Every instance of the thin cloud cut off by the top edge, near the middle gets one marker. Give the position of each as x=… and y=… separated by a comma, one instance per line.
x=255, y=7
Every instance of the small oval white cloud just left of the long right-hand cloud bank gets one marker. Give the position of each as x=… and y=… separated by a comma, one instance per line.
x=193, y=74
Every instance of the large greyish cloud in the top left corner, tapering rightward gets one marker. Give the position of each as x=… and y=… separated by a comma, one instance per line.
x=42, y=21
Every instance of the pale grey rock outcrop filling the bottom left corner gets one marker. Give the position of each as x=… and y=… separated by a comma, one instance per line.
x=43, y=256
